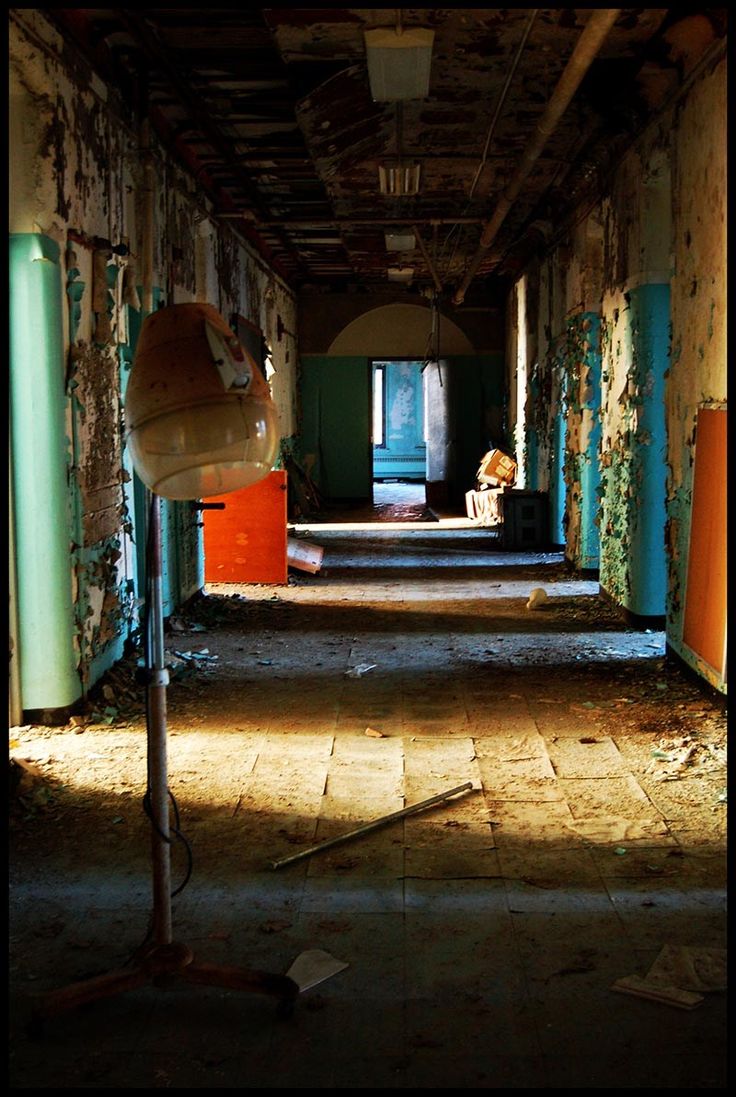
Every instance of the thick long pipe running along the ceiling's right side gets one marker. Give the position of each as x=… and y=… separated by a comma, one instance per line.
x=587, y=48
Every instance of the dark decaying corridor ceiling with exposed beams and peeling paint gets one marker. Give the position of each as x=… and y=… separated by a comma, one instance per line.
x=273, y=109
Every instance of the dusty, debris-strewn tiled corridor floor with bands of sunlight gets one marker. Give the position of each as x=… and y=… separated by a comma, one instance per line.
x=482, y=936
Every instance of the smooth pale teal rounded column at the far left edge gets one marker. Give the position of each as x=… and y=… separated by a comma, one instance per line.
x=47, y=624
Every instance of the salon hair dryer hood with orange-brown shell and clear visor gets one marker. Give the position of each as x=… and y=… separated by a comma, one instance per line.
x=200, y=416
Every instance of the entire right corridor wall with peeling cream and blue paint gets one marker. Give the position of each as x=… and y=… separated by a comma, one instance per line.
x=648, y=266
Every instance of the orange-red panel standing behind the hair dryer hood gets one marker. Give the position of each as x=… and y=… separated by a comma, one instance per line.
x=246, y=542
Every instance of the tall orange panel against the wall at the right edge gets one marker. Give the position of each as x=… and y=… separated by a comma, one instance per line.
x=705, y=630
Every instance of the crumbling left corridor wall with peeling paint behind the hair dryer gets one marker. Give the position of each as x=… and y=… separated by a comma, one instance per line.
x=76, y=177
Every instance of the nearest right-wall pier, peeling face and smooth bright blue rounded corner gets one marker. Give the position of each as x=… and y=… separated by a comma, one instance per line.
x=635, y=319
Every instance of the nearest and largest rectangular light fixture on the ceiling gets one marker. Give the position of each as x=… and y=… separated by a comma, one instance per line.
x=399, y=63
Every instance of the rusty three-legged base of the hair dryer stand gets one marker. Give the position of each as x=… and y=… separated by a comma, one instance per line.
x=162, y=966
